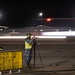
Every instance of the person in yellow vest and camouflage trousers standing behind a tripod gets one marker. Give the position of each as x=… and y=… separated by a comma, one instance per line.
x=28, y=49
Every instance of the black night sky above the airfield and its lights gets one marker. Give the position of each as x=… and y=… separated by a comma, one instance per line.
x=25, y=13
